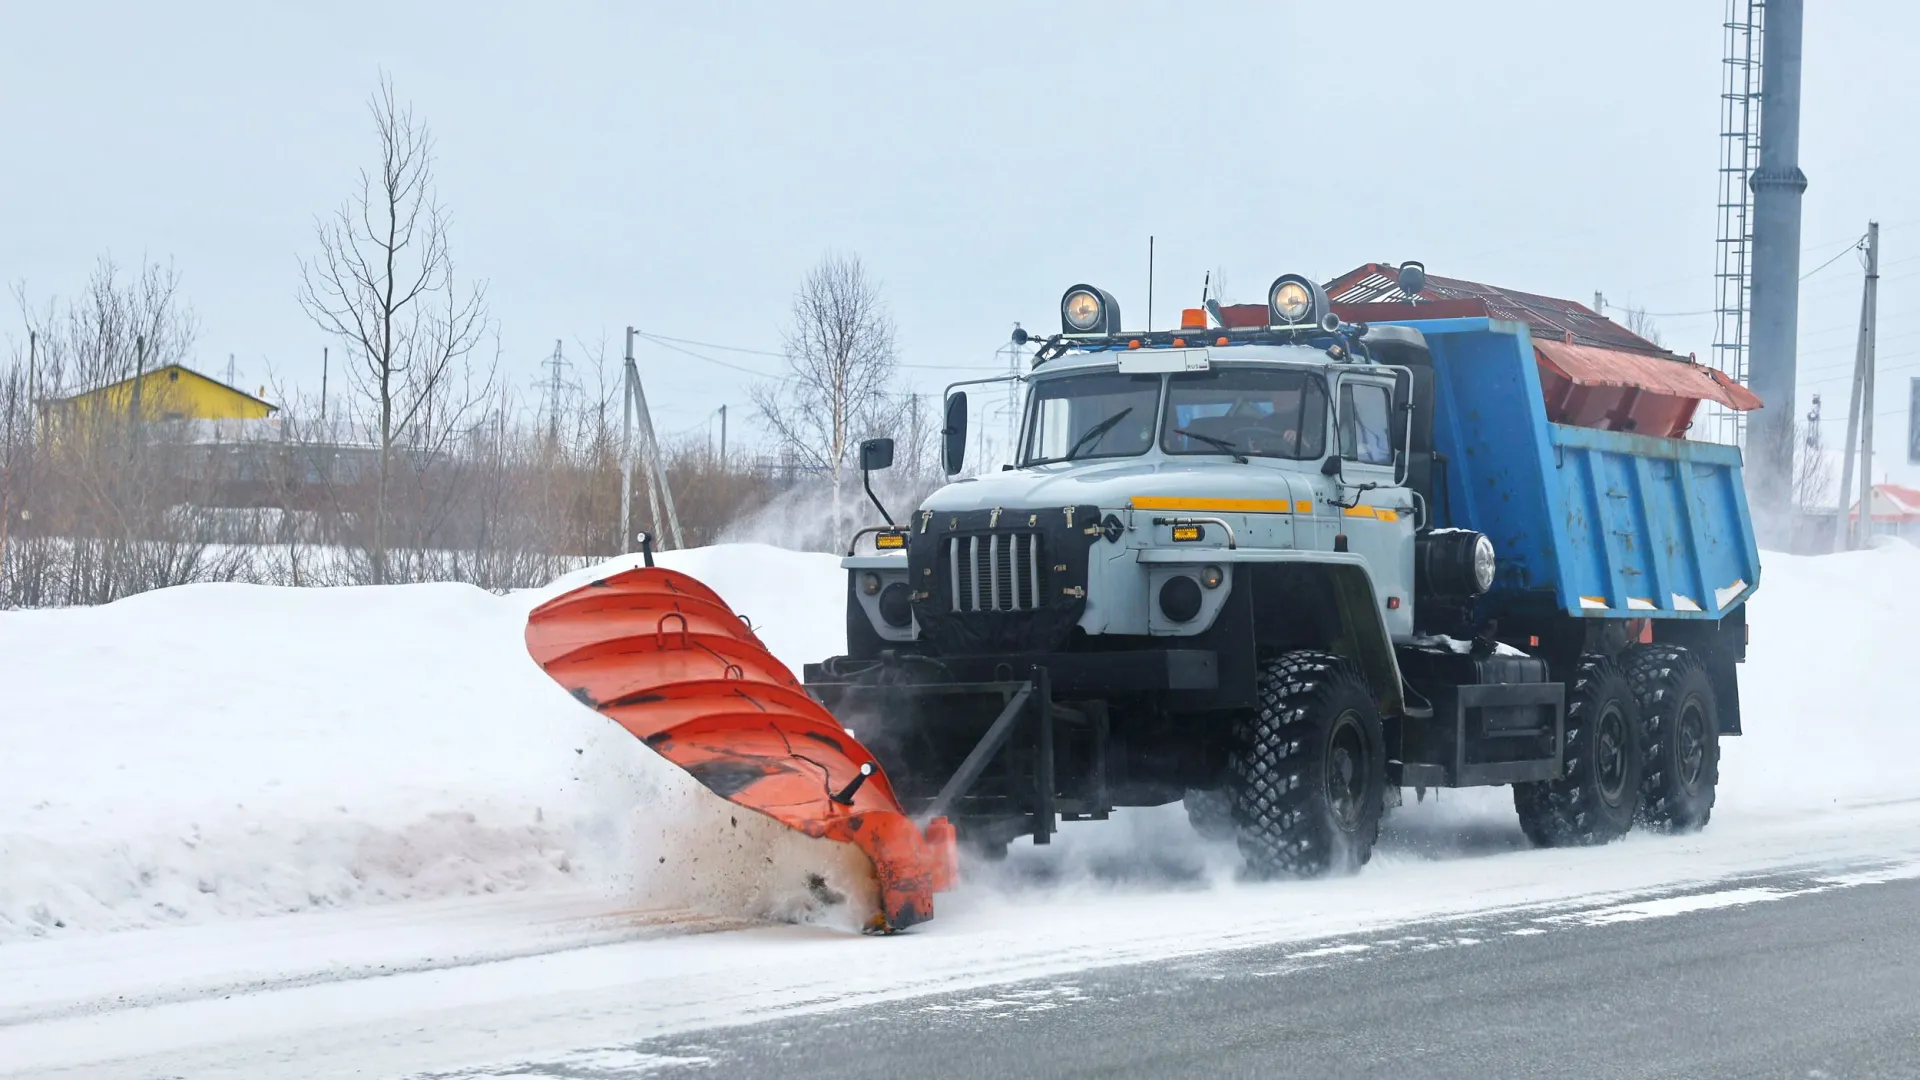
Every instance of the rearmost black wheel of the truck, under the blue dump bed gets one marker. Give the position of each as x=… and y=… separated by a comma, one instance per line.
x=1681, y=737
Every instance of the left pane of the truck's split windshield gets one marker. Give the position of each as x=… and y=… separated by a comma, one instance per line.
x=1092, y=416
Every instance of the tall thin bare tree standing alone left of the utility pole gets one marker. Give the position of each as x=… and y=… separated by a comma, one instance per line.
x=385, y=285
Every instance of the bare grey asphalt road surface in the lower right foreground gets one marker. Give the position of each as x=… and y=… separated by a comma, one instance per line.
x=1777, y=977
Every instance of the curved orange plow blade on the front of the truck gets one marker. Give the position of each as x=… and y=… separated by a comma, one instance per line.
x=665, y=658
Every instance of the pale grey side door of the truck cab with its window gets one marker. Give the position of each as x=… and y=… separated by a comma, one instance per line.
x=1380, y=528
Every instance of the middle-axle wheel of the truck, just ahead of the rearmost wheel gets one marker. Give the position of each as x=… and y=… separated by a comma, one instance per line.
x=1598, y=793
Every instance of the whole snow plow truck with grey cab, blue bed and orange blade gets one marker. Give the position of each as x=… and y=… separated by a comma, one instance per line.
x=1280, y=564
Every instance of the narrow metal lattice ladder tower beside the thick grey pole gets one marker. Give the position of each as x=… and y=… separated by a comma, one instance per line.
x=1740, y=155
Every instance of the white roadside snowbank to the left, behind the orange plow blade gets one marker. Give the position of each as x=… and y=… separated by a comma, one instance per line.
x=231, y=750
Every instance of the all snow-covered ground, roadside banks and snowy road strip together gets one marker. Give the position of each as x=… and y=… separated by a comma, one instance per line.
x=224, y=808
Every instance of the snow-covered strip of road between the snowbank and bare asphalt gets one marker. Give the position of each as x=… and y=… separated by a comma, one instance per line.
x=483, y=987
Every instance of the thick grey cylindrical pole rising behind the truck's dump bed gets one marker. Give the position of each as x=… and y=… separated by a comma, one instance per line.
x=1777, y=239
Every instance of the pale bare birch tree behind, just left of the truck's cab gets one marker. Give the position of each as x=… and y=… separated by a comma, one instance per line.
x=840, y=368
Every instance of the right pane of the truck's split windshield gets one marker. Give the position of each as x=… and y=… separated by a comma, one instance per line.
x=1257, y=412
